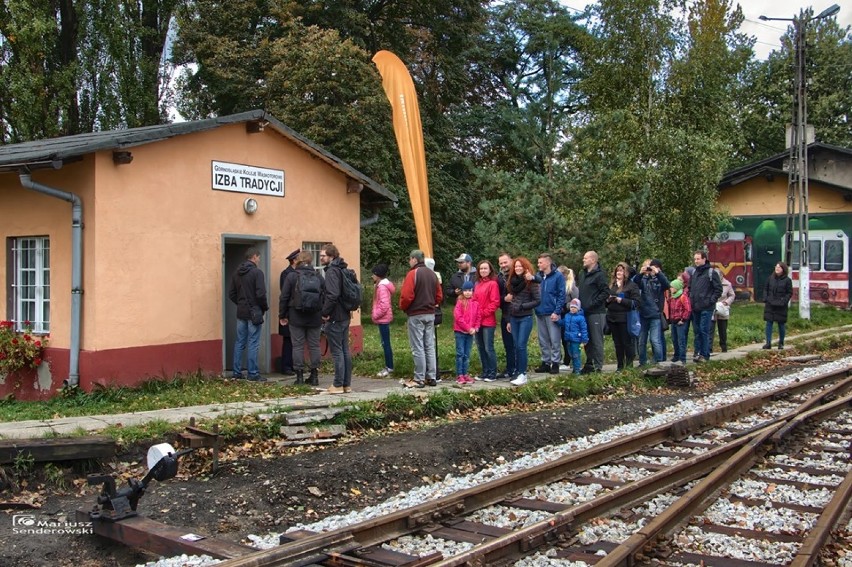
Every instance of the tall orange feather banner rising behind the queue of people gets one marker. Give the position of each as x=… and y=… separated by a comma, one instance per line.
x=399, y=89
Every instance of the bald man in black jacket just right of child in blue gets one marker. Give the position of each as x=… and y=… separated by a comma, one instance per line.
x=594, y=291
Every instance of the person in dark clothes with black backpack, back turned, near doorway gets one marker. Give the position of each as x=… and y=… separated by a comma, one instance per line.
x=299, y=309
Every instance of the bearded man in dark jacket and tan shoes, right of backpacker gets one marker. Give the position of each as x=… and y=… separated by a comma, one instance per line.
x=336, y=318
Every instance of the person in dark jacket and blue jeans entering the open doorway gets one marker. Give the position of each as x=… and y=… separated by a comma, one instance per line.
x=248, y=292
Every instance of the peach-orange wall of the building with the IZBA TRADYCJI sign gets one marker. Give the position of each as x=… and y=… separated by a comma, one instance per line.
x=153, y=232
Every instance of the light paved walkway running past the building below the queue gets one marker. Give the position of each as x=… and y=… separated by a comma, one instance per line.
x=365, y=388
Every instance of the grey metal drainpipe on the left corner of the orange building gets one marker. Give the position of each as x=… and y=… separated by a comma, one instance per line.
x=76, y=268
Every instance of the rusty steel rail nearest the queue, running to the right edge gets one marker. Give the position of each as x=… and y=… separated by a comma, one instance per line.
x=402, y=522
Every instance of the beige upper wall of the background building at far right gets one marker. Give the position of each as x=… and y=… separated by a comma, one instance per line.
x=758, y=196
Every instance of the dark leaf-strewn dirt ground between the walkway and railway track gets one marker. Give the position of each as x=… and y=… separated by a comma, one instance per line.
x=258, y=495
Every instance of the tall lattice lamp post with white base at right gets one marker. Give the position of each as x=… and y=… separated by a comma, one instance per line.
x=797, y=186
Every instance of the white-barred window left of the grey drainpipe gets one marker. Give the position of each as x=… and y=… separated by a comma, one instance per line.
x=30, y=283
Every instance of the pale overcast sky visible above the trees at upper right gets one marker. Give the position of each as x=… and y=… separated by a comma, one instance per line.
x=768, y=33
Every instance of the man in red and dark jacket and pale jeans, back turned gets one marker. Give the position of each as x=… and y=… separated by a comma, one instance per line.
x=421, y=293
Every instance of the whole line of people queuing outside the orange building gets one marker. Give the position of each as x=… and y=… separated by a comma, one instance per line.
x=633, y=306
